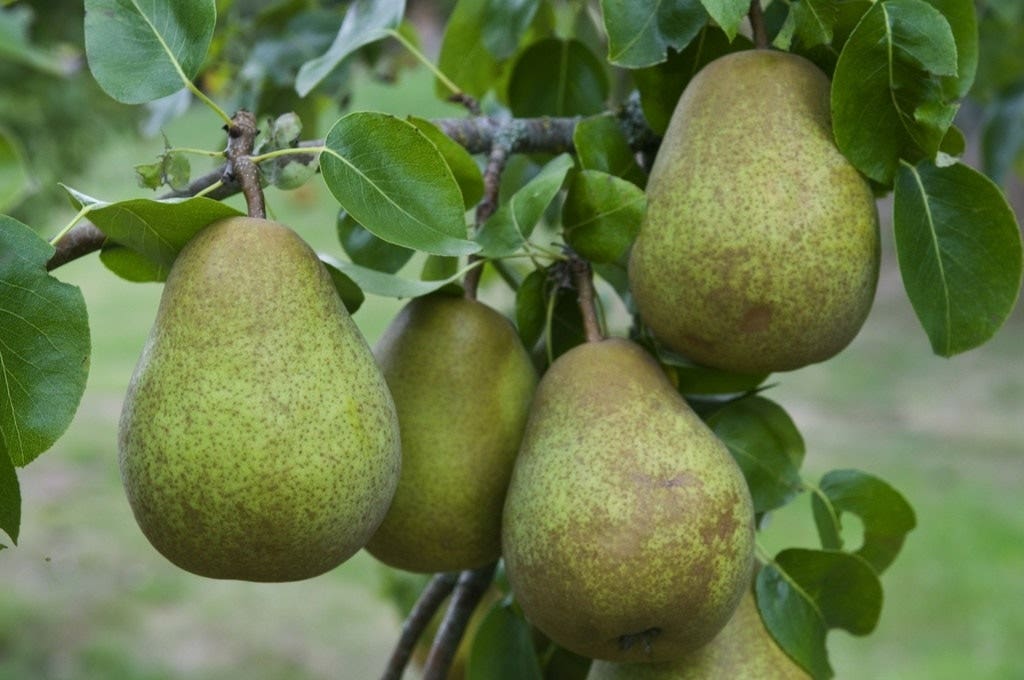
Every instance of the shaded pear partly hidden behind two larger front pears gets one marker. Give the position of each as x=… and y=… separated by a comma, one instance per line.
x=462, y=385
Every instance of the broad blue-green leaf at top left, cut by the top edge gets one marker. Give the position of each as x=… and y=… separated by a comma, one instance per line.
x=141, y=51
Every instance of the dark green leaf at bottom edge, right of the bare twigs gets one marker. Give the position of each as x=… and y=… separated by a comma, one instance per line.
x=503, y=648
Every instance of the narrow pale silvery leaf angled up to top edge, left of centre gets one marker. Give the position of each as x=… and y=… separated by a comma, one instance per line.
x=366, y=22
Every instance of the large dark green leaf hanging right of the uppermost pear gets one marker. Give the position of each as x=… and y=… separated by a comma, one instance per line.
x=960, y=253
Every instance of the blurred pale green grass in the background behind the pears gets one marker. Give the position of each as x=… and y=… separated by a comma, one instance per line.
x=86, y=598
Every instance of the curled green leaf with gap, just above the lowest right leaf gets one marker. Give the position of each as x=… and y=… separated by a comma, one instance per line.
x=886, y=515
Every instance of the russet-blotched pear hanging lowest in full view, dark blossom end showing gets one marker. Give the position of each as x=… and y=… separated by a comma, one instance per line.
x=628, y=529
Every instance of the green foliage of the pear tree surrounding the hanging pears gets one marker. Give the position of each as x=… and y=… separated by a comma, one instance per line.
x=406, y=189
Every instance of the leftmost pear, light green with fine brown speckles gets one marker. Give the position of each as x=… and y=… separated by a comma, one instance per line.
x=259, y=440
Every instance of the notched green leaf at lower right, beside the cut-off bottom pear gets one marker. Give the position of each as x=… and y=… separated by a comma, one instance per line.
x=805, y=593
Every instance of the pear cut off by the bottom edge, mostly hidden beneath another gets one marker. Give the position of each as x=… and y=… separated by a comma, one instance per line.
x=745, y=650
